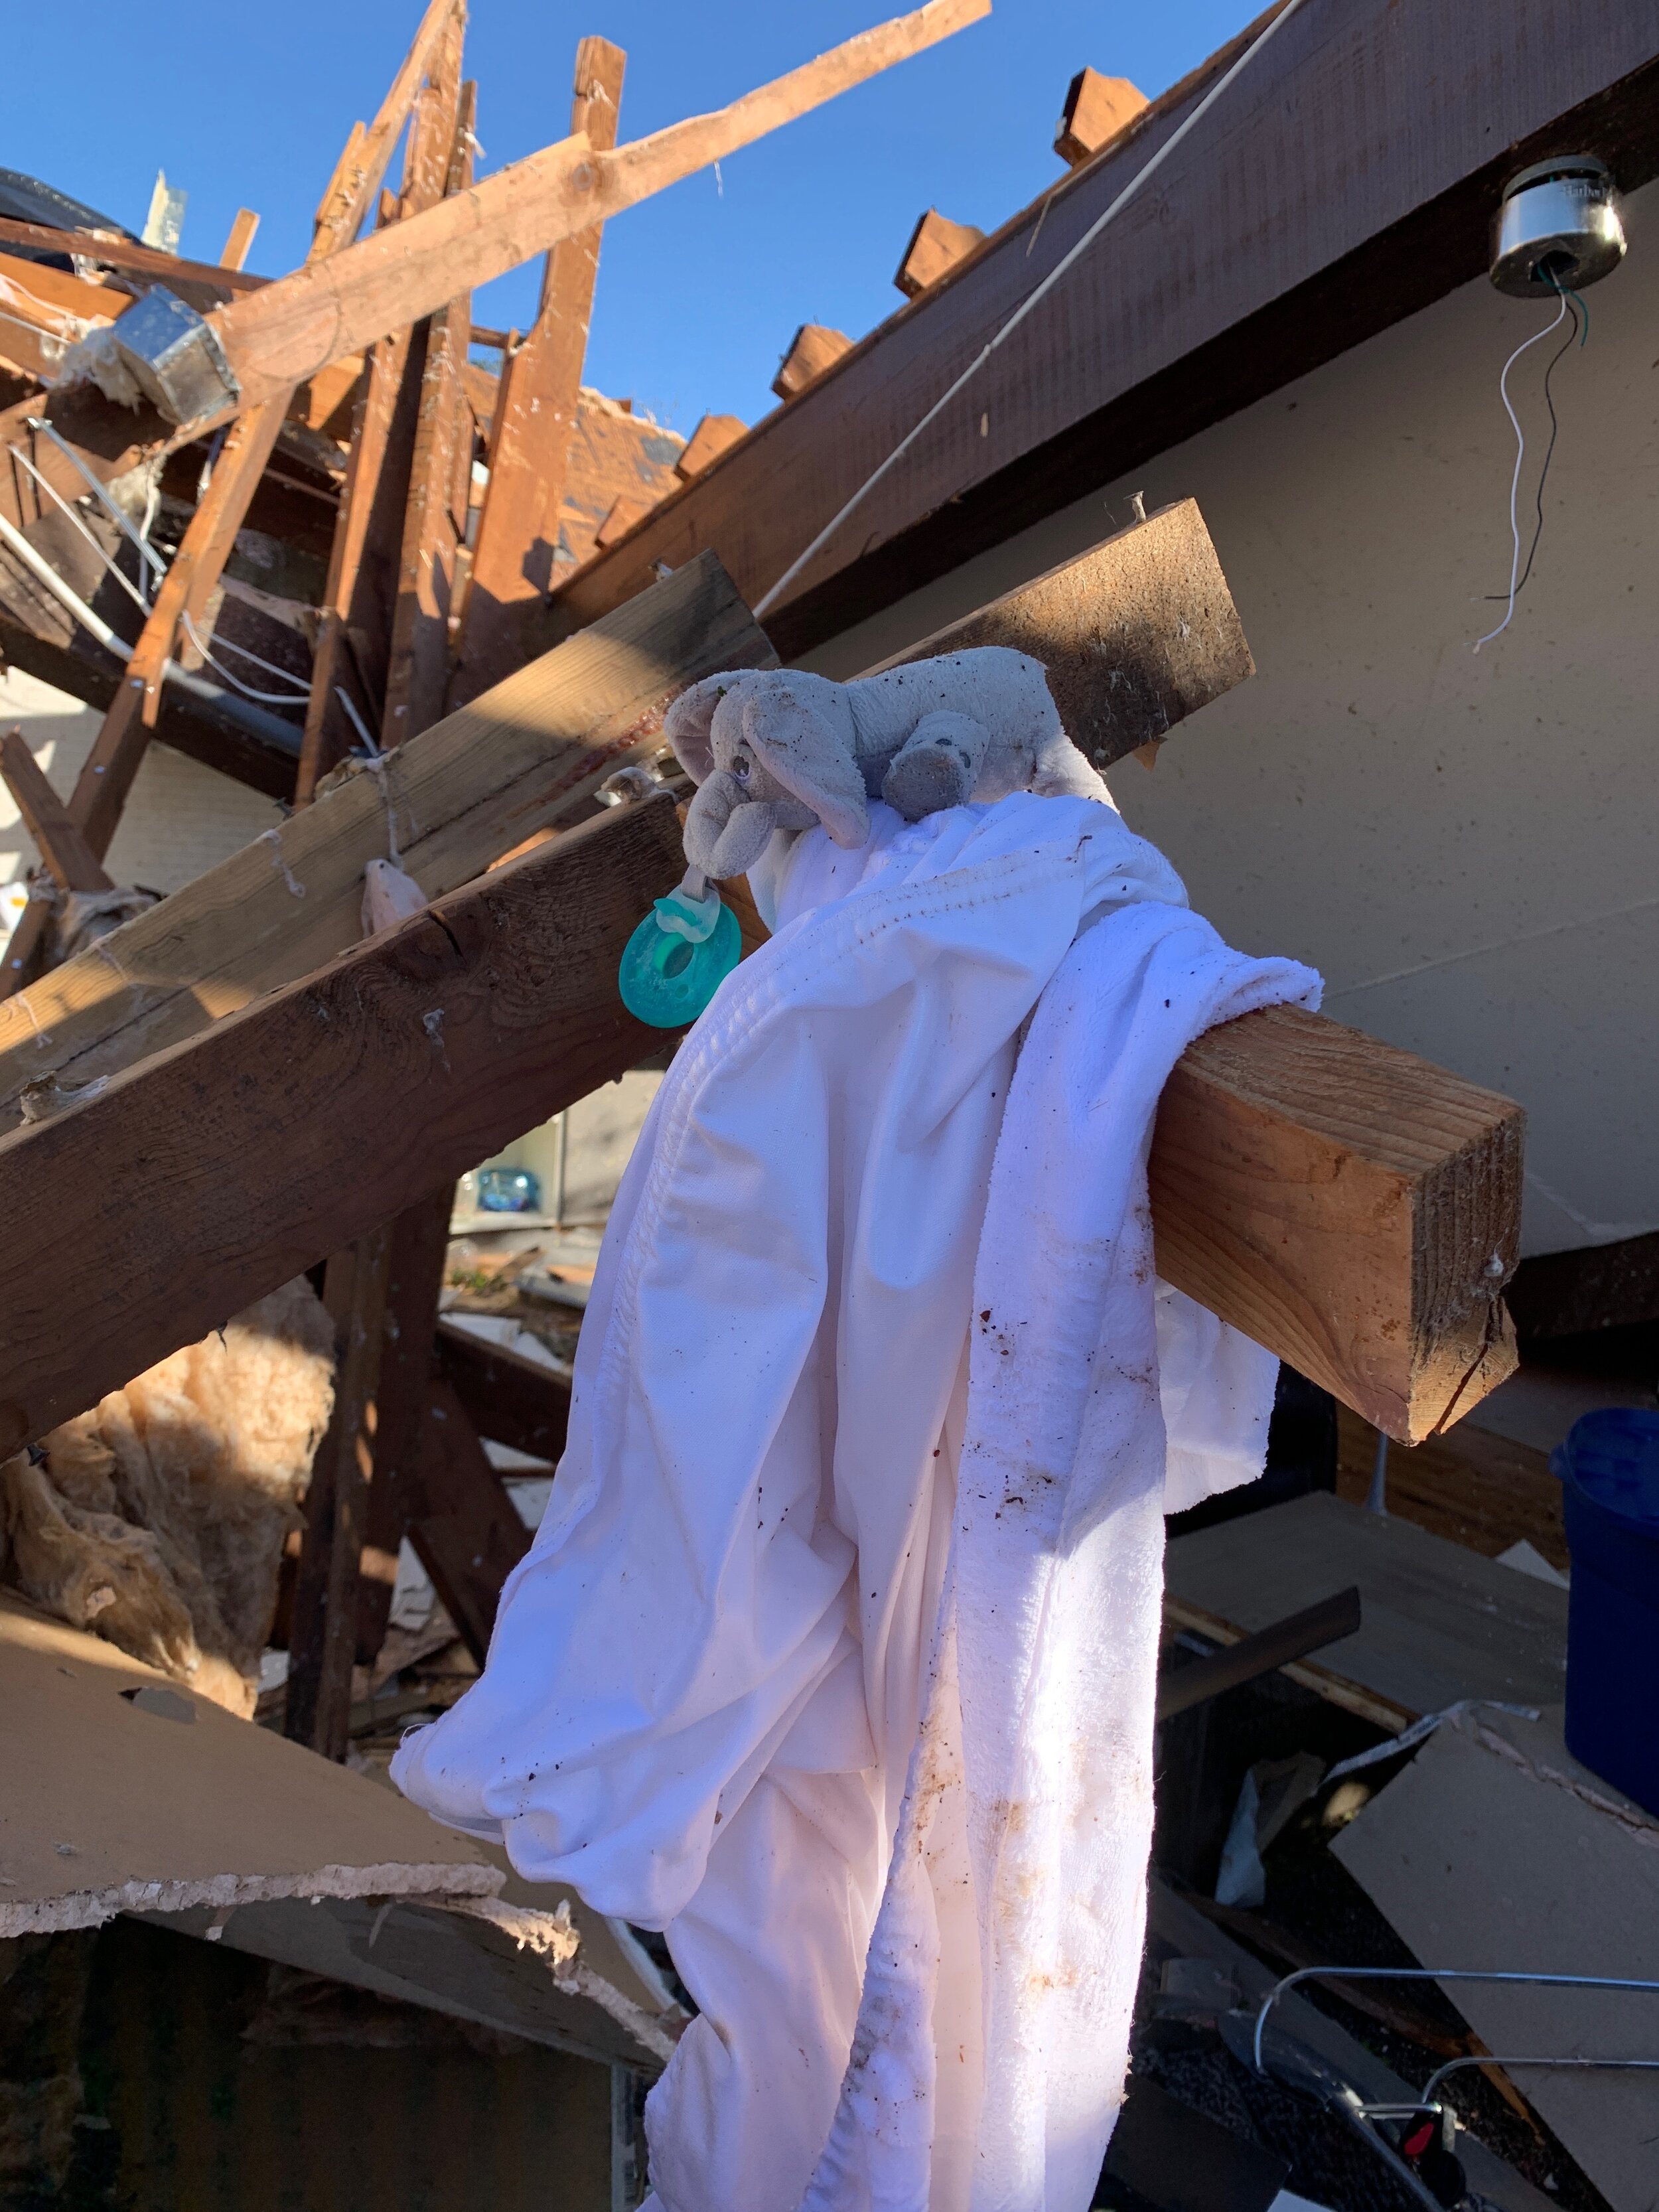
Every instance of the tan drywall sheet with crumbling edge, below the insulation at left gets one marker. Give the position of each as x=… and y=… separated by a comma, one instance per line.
x=121, y=1802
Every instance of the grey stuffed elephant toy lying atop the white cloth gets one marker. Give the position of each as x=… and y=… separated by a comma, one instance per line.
x=784, y=751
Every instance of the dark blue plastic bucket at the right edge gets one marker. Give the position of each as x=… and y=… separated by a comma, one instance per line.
x=1609, y=1470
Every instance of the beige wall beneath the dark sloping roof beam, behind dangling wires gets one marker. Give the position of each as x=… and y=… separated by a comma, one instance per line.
x=1465, y=844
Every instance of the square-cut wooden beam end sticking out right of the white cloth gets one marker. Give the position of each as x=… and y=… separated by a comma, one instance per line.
x=1348, y=1207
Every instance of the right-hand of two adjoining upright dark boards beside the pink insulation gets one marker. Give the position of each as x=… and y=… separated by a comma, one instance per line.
x=417, y=1249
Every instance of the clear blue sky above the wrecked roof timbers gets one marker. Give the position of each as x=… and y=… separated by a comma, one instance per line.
x=700, y=289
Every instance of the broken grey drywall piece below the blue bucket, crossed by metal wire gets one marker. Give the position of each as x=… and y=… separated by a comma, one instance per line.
x=1496, y=1848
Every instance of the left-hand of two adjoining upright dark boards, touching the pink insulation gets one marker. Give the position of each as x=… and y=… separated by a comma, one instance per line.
x=322, y=1640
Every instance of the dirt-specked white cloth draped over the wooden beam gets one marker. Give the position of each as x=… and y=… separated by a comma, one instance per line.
x=835, y=1653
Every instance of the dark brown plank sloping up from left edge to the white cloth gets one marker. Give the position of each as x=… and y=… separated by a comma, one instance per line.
x=459, y=1030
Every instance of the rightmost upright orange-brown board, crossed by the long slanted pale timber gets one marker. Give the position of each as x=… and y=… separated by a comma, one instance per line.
x=534, y=419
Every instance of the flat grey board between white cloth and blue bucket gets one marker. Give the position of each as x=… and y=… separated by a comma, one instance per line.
x=1439, y=1623
